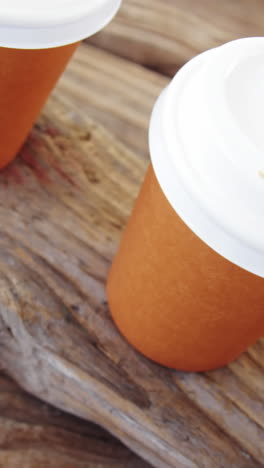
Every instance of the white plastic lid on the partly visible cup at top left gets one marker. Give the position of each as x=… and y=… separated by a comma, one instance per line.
x=34, y=24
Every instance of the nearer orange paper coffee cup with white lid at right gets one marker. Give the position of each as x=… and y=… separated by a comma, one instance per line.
x=186, y=287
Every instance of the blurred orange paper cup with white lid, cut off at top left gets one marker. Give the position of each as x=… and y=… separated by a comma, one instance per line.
x=36, y=42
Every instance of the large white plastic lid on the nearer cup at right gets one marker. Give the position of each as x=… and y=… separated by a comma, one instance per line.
x=207, y=149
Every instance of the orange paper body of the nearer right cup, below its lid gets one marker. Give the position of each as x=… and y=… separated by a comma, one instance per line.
x=173, y=297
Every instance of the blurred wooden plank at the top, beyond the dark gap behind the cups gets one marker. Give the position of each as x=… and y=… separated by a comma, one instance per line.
x=164, y=34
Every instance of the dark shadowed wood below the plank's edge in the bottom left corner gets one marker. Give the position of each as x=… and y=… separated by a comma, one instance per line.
x=34, y=434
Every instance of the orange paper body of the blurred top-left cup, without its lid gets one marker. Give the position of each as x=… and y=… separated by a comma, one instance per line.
x=27, y=77
